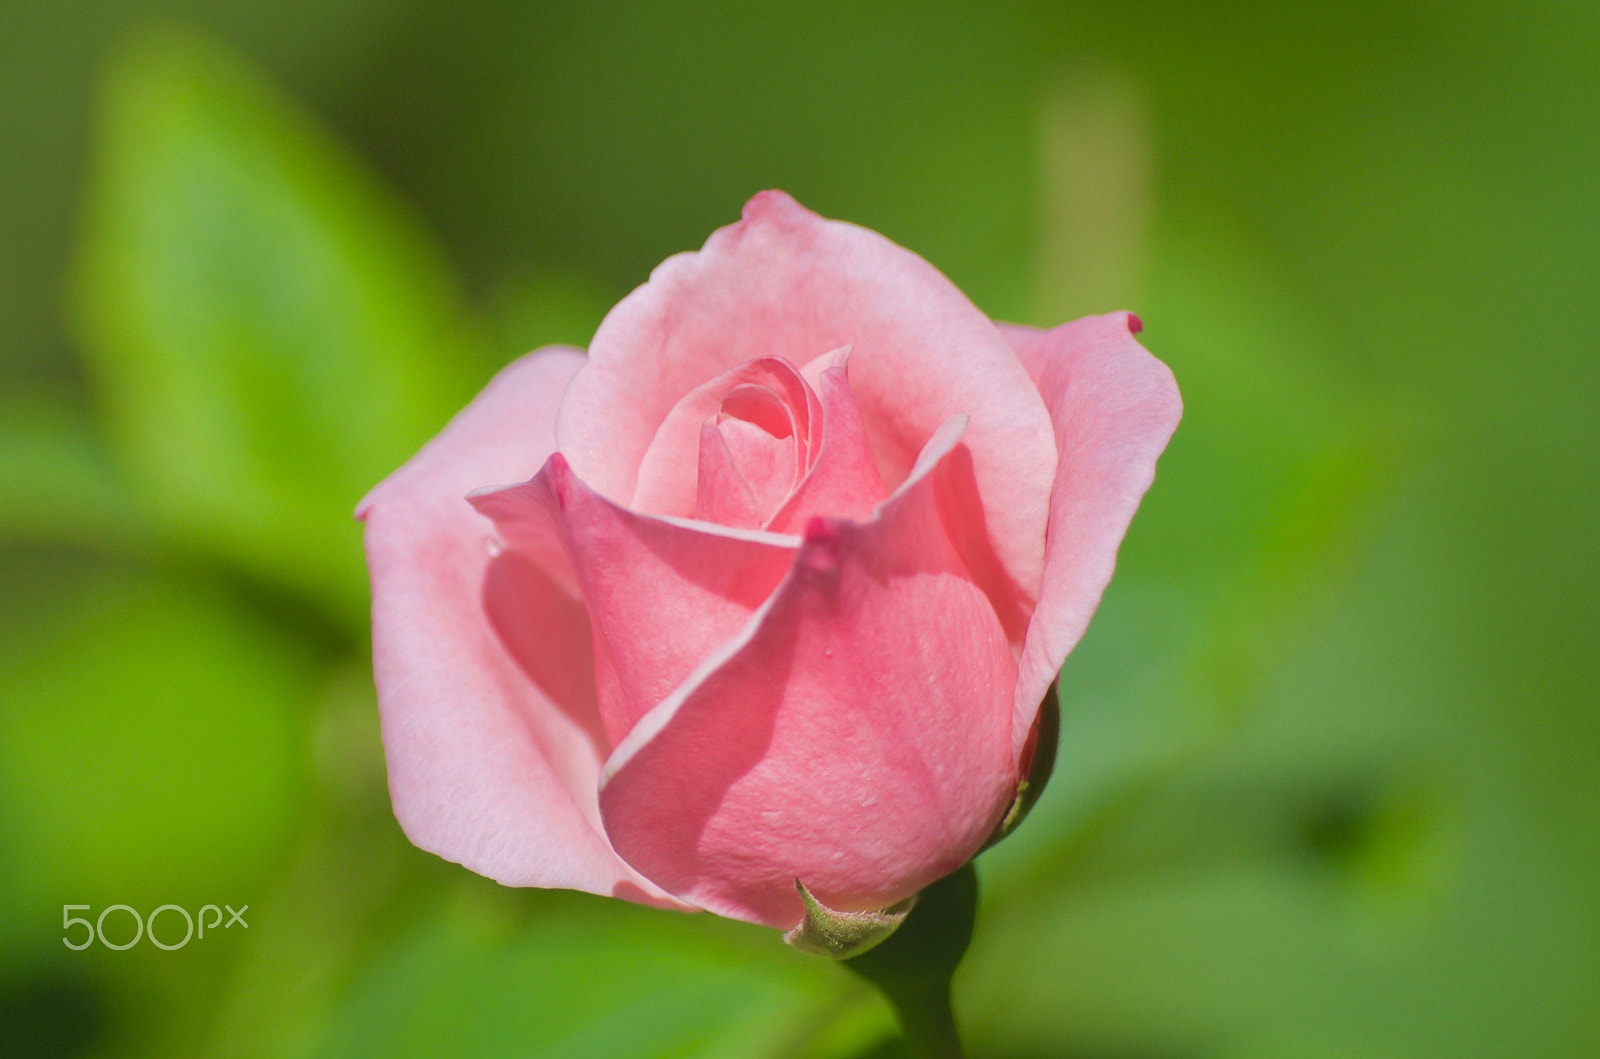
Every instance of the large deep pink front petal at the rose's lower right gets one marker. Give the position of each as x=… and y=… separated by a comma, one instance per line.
x=857, y=735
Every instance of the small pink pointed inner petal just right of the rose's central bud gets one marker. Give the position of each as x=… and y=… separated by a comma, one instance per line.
x=844, y=481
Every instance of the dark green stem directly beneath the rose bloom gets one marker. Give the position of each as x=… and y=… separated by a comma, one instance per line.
x=914, y=967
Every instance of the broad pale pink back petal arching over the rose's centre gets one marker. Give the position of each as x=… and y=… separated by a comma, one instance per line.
x=788, y=284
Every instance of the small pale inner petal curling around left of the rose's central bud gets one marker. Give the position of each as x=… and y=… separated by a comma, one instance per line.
x=666, y=482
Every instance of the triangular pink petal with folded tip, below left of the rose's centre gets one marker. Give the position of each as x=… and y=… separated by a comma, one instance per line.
x=663, y=594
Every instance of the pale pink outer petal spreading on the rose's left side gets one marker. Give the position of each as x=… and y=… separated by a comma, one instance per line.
x=486, y=769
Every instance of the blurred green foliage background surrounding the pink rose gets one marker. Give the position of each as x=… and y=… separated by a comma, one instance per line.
x=1330, y=770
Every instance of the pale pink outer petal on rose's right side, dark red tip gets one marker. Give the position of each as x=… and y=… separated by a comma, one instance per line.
x=1114, y=407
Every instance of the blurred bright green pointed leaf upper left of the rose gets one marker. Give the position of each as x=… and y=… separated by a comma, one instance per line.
x=268, y=329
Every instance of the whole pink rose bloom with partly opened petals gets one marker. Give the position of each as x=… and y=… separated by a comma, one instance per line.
x=806, y=543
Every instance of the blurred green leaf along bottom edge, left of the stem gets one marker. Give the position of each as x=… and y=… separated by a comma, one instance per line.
x=588, y=978
